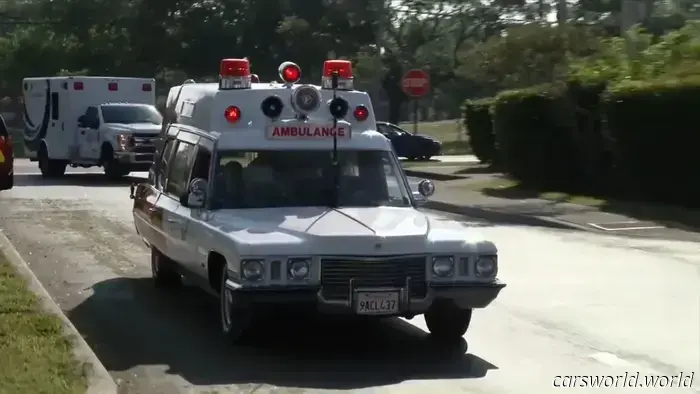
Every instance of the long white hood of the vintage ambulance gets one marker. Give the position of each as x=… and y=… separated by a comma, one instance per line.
x=345, y=231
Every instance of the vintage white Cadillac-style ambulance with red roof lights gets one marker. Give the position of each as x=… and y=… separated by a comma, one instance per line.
x=274, y=195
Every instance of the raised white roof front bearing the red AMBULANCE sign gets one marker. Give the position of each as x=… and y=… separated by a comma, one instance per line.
x=203, y=106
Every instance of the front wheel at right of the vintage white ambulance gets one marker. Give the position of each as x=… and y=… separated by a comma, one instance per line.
x=446, y=322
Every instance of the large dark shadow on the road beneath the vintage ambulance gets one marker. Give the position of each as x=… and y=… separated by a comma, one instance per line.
x=129, y=323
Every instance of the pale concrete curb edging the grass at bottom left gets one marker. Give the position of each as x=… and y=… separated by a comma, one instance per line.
x=99, y=380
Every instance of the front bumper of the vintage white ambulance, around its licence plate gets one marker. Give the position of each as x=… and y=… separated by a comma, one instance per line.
x=464, y=296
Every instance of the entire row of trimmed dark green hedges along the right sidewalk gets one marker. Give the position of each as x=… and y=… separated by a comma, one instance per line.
x=635, y=140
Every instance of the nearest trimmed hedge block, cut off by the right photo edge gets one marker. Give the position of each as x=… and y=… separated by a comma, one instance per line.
x=654, y=129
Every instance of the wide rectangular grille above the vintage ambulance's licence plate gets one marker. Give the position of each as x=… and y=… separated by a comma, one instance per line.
x=336, y=274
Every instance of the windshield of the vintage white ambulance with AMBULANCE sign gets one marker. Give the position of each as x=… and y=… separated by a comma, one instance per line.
x=271, y=179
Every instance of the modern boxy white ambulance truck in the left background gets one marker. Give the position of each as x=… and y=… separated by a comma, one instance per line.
x=90, y=121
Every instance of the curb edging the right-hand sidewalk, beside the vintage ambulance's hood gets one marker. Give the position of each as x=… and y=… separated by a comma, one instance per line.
x=503, y=217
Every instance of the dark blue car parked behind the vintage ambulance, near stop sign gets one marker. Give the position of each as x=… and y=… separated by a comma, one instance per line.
x=408, y=145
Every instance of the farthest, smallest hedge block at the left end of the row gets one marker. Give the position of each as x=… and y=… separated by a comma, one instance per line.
x=477, y=122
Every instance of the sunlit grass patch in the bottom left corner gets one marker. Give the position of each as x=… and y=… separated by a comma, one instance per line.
x=35, y=355
